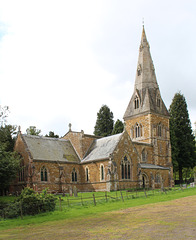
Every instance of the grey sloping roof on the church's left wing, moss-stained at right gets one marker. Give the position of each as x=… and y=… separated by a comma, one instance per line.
x=50, y=149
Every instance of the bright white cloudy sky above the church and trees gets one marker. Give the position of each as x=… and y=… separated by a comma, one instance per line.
x=60, y=61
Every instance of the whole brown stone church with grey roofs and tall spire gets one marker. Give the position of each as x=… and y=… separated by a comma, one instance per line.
x=138, y=157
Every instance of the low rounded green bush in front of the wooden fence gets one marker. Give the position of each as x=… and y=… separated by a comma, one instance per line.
x=30, y=203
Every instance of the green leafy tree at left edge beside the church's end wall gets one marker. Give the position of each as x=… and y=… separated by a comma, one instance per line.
x=9, y=166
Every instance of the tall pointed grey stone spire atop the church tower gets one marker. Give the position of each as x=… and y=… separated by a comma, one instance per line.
x=146, y=88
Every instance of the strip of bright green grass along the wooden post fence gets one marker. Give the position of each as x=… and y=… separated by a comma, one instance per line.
x=76, y=210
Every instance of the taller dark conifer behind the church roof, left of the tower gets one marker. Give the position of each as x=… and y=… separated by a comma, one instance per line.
x=104, y=124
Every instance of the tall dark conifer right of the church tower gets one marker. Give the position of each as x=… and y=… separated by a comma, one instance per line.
x=182, y=139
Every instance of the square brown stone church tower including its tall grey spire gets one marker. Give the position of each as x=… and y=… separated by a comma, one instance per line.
x=146, y=117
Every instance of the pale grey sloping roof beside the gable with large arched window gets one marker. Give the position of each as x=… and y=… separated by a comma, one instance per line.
x=102, y=148
